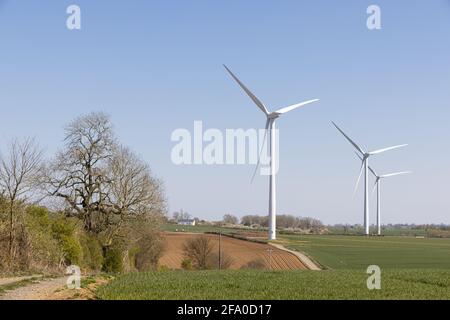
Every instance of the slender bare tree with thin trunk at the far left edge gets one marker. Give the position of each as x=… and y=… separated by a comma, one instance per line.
x=20, y=170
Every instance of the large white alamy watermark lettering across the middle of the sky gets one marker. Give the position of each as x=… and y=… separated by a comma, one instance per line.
x=229, y=147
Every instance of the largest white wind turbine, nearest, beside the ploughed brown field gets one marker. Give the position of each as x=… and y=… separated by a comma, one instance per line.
x=270, y=125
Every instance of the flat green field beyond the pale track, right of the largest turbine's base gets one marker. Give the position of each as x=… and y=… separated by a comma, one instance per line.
x=357, y=252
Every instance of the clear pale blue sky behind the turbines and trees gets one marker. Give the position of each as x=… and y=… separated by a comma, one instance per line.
x=155, y=66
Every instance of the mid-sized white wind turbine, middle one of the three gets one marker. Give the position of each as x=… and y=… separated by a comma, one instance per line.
x=364, y=166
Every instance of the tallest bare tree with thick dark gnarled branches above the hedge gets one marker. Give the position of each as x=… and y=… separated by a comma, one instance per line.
x=78, y=172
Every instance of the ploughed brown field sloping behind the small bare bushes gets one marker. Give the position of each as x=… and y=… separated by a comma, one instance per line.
x=241, y=251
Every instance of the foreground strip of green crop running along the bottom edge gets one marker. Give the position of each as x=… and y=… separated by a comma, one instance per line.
x=257, y=284
